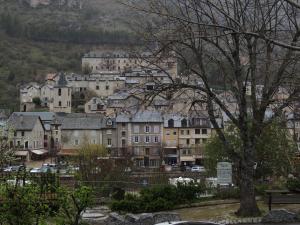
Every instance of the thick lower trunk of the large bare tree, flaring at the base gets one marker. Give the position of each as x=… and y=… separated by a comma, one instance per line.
x=248, y=204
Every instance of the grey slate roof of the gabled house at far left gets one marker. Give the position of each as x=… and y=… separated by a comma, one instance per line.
x=22, y=122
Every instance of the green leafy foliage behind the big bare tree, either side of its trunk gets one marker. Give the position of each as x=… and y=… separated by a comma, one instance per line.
x=274, y=150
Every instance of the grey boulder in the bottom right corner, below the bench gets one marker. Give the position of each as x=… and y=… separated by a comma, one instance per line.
x=280, y=216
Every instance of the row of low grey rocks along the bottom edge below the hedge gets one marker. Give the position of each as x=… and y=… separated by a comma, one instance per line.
x=131, y=219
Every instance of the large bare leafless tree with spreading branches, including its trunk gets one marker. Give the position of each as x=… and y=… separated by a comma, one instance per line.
x=242, y=44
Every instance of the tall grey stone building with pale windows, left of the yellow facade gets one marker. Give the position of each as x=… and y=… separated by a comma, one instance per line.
x=143, y=131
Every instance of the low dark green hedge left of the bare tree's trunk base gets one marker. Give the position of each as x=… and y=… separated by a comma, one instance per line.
x=158, y=198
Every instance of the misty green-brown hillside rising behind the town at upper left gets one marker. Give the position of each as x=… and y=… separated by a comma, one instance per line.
x=35, y=41
